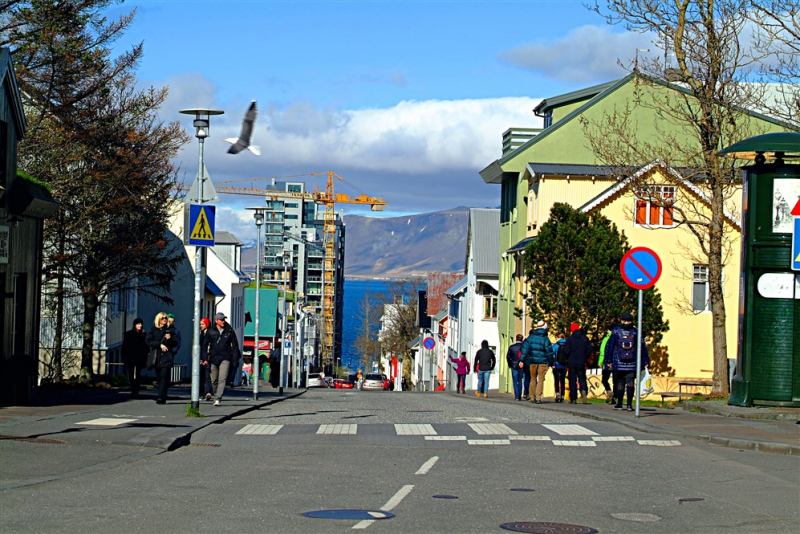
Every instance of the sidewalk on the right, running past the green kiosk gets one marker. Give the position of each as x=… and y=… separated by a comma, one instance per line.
x=774, y=430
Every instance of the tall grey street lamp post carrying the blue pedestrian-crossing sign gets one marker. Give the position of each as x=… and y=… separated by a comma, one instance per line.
x=202, y=195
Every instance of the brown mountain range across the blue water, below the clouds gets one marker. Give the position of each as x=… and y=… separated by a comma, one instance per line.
x=399, y=247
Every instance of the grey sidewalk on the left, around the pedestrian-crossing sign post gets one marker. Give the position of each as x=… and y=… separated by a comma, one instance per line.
x=95, y=415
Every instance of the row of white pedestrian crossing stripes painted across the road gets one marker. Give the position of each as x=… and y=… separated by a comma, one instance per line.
x=482, y=433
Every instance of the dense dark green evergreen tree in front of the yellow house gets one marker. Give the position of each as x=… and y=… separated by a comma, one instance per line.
x=573, y=265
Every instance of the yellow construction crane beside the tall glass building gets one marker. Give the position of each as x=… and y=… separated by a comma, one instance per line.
x=329, y=199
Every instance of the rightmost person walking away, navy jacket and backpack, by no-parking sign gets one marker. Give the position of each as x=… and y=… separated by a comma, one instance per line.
x=621, y=350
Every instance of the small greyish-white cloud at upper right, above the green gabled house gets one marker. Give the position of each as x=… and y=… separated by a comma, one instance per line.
x=588, y=54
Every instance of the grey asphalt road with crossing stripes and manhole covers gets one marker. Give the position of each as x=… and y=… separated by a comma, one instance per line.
x=399, y=452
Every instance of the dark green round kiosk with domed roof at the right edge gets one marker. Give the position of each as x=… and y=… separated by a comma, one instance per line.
x=768, y=361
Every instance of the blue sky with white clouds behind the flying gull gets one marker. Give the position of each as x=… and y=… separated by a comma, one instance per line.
x=406, y=100
